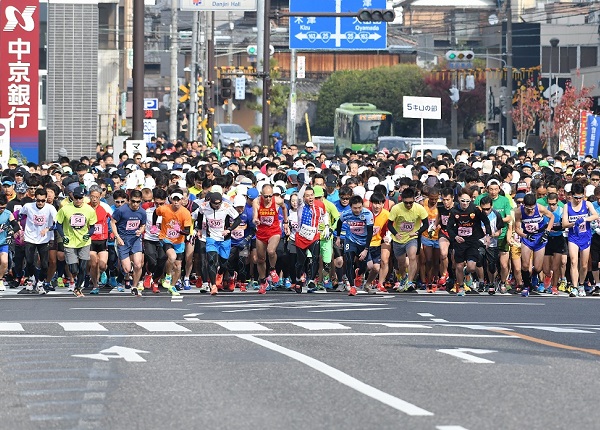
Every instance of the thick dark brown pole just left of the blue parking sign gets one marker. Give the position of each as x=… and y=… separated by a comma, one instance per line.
x=138, y=70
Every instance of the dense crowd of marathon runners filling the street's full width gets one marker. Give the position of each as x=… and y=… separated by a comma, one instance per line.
x=184, y=216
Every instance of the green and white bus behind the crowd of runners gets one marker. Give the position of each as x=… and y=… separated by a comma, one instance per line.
x=357, y=126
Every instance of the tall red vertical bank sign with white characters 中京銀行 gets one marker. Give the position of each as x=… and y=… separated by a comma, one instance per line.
x=19, y=50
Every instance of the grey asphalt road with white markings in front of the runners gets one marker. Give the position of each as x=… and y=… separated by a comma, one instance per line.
x=318, y=361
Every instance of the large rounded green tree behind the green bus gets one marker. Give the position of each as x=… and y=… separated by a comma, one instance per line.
x=382, y=86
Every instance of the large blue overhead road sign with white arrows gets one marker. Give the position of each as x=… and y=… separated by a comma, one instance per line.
x=335, y=33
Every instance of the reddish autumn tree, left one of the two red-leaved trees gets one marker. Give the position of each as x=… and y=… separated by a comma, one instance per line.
x=530, y=109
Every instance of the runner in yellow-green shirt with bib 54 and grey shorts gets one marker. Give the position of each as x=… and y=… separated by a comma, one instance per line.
x=76, y=224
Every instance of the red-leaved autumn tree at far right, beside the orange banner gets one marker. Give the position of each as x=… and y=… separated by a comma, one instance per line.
x=566, y=117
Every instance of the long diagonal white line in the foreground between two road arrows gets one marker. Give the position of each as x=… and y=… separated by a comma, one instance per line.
x=343, y=378
